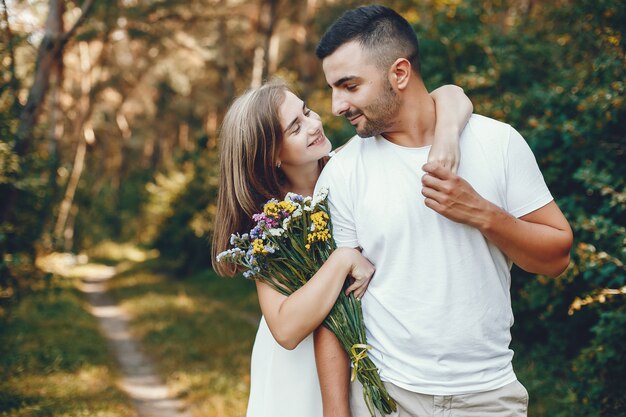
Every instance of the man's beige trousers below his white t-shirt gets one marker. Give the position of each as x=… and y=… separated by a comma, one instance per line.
x=509, y=401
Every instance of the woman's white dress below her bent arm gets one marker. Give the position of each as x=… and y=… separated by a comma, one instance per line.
x=283, y=383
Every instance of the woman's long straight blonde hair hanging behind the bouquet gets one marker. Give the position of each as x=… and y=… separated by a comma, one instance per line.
x=250, y=140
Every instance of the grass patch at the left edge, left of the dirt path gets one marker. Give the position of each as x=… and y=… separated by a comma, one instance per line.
x=53, y=360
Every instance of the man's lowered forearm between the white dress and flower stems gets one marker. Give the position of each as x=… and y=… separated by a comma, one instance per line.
x=333, y=369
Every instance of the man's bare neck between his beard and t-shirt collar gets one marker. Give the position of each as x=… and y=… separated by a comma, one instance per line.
x=414, y=126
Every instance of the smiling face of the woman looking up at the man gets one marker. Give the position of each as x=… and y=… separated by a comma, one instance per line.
x=304, y=141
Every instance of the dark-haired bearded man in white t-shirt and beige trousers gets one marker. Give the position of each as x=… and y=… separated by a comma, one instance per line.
x=438, y=311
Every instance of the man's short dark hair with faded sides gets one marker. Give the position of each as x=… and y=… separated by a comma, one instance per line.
x=381, y=31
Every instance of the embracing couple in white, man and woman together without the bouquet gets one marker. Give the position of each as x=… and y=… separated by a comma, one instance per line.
x=438, y=311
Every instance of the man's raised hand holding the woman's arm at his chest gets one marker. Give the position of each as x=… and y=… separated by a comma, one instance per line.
x=453, y=197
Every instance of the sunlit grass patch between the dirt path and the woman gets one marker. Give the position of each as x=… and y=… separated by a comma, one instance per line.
x=199, y=331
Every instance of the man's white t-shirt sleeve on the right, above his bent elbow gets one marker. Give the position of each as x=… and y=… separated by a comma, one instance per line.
x=526, y=190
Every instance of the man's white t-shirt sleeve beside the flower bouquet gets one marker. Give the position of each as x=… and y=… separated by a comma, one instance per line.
x=341, y=213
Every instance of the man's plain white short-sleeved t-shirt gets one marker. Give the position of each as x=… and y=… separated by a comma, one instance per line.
x=438, y=310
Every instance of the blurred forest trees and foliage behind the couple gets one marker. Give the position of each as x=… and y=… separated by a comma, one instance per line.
x=110, y=111
